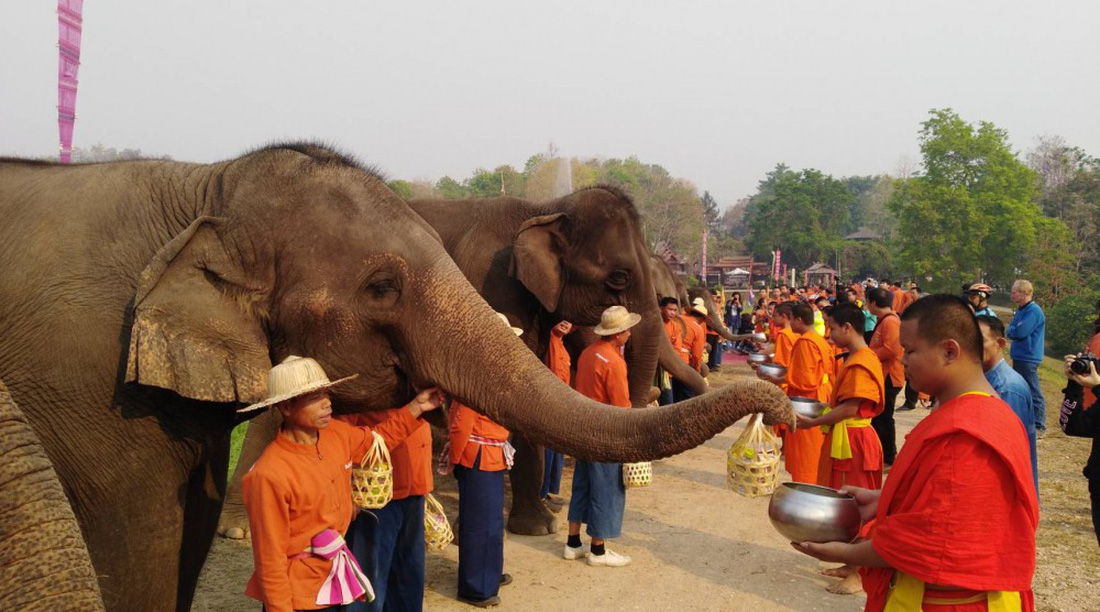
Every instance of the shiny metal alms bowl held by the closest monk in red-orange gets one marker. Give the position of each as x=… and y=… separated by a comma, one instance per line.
x=802, y=512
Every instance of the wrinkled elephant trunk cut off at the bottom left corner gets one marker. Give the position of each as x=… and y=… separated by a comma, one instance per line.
x=43, y=559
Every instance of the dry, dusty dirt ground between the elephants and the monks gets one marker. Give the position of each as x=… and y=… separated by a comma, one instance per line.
x=699, y=547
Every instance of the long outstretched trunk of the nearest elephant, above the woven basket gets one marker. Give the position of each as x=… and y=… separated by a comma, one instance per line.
x=485, y=366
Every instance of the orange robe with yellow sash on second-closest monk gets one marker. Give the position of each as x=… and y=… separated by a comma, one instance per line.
x=860, y=377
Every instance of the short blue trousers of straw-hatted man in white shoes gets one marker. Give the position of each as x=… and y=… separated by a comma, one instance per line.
x=599, y=498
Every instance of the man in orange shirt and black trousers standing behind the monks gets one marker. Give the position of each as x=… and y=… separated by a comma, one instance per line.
x=886, y=343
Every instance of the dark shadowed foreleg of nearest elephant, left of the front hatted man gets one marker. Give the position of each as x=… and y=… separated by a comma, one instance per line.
x=205, y=494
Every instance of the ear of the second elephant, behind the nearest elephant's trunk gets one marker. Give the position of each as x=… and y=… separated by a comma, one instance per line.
x=537, y=258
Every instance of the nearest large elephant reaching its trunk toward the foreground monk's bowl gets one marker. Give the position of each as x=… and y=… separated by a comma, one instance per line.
x=145, y=302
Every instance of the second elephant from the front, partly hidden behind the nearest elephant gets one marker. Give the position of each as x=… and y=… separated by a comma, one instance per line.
x=540, y=264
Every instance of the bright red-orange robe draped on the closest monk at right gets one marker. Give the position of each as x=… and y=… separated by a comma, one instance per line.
x=960, y=508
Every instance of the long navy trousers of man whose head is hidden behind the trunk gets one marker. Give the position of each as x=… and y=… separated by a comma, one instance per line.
x=481, y=531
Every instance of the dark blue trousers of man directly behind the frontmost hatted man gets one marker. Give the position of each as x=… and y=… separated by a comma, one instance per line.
x=389, y=545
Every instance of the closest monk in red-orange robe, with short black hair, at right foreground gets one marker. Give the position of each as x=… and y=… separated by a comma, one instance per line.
x=955, y=523
